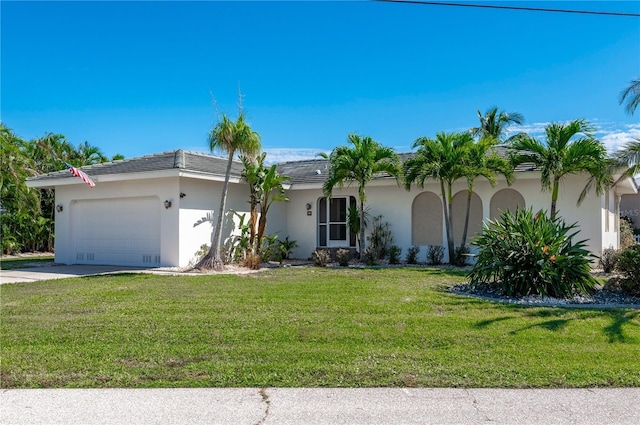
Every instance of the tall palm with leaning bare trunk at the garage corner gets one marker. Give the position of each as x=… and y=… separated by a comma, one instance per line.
x=230, y=137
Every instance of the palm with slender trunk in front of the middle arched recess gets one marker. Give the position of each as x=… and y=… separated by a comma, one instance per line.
x=482, y=161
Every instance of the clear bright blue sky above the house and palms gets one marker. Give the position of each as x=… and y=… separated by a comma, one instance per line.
x=135, y=77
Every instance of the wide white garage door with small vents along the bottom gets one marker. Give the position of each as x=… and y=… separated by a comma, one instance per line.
x=124, y=231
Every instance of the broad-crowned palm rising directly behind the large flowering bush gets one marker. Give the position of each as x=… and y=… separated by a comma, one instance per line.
x=564, y=154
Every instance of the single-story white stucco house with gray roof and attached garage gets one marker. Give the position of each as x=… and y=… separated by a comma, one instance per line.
x=142, y=210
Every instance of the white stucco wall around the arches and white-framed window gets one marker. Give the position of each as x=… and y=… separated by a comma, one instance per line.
x=394, y=203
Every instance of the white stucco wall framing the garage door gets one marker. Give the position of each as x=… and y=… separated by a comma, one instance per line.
x=162, y=188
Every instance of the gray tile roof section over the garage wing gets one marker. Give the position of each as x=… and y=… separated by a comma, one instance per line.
x=180, y=159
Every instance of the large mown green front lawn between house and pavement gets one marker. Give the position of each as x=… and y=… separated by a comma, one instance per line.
x=306, y=327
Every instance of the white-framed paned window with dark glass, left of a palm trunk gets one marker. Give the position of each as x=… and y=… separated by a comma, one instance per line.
x=332, y=222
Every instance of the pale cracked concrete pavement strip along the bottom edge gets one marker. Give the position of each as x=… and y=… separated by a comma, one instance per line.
x=320, y=406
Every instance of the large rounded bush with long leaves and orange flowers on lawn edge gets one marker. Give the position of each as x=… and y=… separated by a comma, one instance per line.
x=529, y=253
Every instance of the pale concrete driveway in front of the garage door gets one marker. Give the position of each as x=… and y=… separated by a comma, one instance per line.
x=34, y=274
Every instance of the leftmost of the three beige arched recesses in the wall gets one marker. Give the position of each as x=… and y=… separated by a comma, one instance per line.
x=426, y=219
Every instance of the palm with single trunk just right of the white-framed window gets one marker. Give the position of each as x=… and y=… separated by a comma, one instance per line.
x=359, y=163
